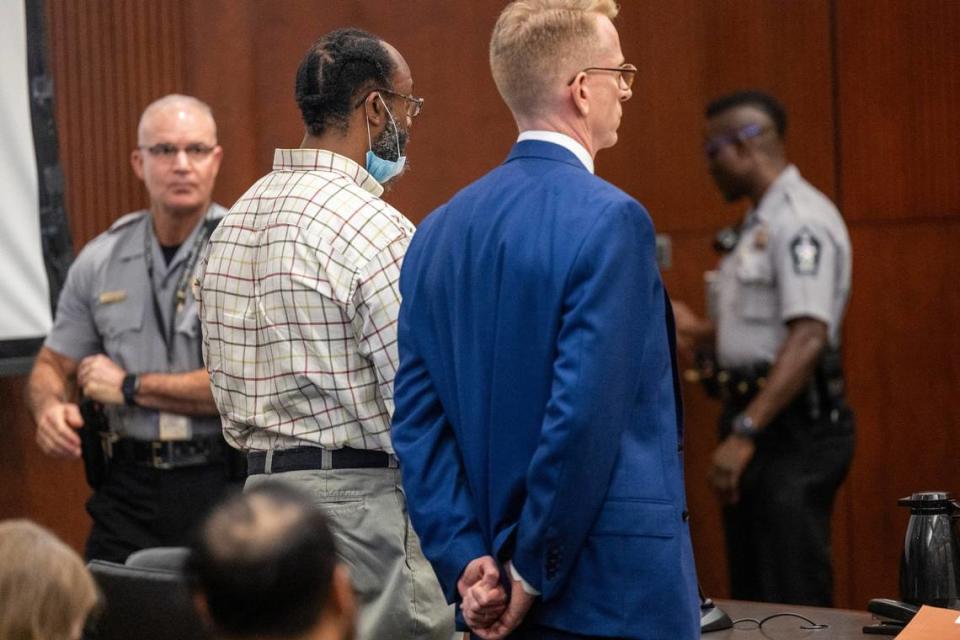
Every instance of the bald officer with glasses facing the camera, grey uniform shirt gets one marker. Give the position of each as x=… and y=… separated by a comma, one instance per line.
x=126, y=339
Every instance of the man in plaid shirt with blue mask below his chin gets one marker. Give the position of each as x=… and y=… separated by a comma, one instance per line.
x=299, y=300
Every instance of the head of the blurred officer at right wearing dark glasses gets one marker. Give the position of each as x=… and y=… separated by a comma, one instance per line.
x=743, y=143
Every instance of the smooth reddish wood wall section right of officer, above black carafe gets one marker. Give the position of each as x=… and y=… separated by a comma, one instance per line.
x=898, y=90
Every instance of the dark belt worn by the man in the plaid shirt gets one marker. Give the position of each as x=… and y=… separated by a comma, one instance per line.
x=305, y=458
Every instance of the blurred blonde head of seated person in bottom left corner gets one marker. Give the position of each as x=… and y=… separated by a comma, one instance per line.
x=46, y=592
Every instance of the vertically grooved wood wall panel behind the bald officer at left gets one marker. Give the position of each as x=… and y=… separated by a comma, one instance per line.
x=110, y=60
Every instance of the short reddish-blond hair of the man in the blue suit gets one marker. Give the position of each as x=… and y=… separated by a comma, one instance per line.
x=537, y=43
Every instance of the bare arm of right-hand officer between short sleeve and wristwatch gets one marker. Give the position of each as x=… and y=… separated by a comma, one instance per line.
x=791, y=371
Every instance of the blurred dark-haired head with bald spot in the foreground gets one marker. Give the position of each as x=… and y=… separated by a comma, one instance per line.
x=264, y=565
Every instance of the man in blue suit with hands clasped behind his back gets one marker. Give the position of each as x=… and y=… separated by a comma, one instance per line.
x=538, y=417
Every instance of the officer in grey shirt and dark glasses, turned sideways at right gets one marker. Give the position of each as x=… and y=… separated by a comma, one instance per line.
x=778, y=300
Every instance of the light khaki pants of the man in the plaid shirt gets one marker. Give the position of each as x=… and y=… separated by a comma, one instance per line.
x=396, y=587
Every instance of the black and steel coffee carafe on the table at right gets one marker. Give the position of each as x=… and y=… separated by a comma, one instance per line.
x=930, y=565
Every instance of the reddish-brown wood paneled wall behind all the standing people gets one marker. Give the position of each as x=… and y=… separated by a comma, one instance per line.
x=871, y=88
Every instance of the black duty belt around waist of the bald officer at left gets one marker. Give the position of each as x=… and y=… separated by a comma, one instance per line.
x=168, y=454
